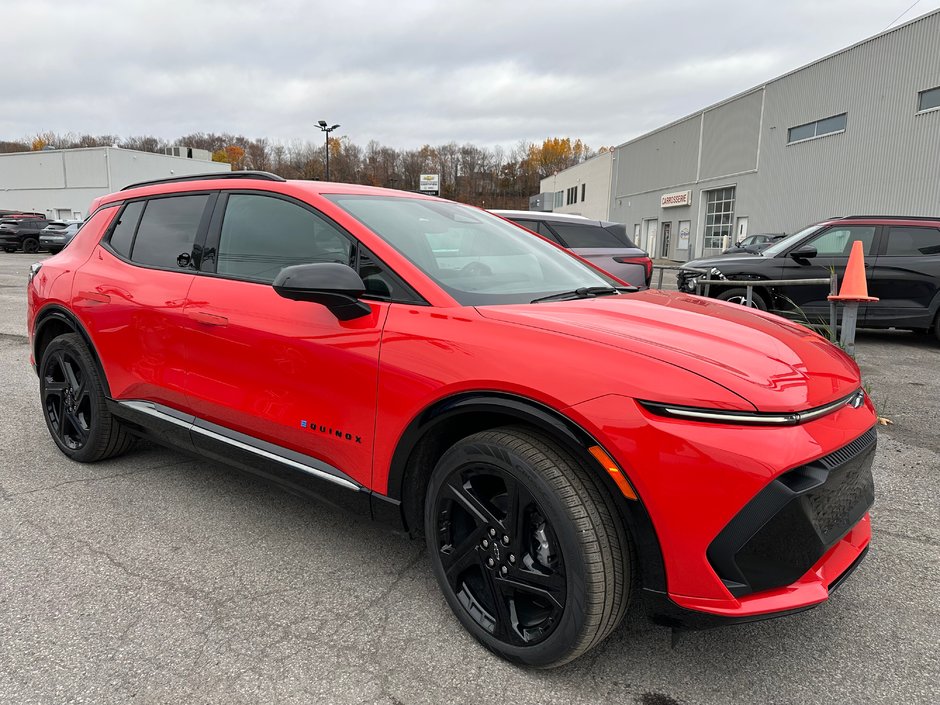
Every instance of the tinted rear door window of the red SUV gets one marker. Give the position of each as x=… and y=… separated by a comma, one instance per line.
x=168, y=229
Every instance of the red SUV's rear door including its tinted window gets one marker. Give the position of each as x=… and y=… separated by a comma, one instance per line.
x=131, y=293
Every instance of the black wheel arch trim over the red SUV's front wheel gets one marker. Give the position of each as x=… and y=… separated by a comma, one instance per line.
x=448, y=420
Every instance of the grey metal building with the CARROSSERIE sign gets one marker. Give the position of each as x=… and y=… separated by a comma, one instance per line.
x=857, y=132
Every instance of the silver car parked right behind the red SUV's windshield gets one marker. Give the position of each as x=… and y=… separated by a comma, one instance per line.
x=604, y=244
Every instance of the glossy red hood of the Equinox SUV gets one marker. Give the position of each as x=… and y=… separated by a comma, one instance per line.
x=772, y=363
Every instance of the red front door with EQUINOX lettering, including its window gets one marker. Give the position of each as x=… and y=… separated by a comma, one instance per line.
x=276, y=374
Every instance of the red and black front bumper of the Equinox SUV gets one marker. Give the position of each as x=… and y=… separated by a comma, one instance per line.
x=751, y=521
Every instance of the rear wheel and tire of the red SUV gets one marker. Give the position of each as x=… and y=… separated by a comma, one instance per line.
x=74, y=405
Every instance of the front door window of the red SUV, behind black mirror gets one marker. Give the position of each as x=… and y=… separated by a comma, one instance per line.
x=262, y=235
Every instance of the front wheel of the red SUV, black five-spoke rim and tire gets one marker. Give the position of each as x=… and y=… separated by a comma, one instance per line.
x=527, y=547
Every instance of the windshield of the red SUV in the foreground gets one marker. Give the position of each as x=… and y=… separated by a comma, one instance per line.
x=476, y=257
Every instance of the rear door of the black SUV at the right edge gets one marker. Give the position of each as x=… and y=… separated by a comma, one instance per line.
x=906, y=277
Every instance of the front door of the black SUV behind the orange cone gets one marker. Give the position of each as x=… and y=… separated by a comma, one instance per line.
x=832, y=254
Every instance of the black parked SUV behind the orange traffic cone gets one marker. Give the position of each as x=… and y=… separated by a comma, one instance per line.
x=902, y=262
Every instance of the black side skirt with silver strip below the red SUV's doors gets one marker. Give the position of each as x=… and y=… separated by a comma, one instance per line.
x=296, y=472
